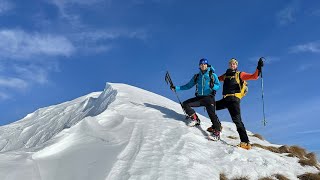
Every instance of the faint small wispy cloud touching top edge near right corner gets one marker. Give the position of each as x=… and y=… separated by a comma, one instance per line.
x=287, y=15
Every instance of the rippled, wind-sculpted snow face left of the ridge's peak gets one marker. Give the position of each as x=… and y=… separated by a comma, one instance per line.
x=45, y=123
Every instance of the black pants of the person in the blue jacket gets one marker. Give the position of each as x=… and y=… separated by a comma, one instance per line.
x=206, y=101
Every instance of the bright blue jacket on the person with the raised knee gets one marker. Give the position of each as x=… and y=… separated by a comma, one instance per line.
x=203, y=83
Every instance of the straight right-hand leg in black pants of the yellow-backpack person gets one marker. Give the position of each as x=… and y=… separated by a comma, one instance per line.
x=234, y=110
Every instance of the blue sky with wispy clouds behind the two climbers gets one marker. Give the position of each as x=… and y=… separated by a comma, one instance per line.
x=52, y=51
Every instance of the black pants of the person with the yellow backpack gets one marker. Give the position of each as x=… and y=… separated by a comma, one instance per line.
x=233, y=105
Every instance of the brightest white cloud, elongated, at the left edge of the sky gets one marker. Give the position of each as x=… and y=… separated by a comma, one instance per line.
x=17, y=44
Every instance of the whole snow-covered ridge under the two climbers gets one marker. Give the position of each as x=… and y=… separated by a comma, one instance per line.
x=128, y=133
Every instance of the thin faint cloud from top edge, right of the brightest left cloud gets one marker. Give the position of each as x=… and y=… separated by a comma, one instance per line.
x=85, y=38
